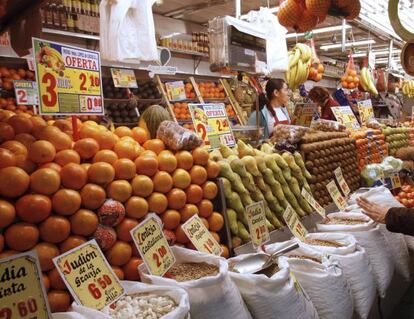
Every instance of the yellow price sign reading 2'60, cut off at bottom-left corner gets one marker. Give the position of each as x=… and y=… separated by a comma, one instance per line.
x=22, y=294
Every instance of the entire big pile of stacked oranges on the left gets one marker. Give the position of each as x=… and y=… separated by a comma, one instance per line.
x=51, y=188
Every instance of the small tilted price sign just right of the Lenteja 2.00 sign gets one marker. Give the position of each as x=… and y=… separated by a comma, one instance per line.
x=200, y=236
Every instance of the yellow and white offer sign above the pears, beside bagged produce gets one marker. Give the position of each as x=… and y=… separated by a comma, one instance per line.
x=212, y=124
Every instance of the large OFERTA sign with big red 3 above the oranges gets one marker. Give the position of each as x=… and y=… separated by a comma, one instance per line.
x=69, y=79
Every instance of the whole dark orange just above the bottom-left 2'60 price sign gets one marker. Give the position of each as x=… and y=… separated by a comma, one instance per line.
x=21, y=236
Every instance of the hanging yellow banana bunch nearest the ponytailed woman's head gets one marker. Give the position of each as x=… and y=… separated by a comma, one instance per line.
x=300, y=61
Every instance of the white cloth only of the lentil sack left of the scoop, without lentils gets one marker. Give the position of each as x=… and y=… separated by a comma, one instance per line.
x=210, y=297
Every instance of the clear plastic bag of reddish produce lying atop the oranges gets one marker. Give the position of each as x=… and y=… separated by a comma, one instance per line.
x=176, y=137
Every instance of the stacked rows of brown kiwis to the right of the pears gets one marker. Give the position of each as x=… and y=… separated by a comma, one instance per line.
x=323, y=153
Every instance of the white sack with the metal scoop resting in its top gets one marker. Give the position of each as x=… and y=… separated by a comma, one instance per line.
x=266, y=297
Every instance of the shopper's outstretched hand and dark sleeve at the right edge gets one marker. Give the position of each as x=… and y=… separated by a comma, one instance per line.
x=397, y=219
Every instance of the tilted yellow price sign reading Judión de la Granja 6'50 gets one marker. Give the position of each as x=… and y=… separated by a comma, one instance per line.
x=88, y=276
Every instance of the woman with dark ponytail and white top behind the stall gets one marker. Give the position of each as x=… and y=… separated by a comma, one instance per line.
x=272, y=107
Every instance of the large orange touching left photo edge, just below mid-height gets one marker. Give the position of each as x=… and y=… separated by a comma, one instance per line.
x=14, y=181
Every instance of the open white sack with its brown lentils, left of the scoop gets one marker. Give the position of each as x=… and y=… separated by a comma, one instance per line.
x=205, y=277
